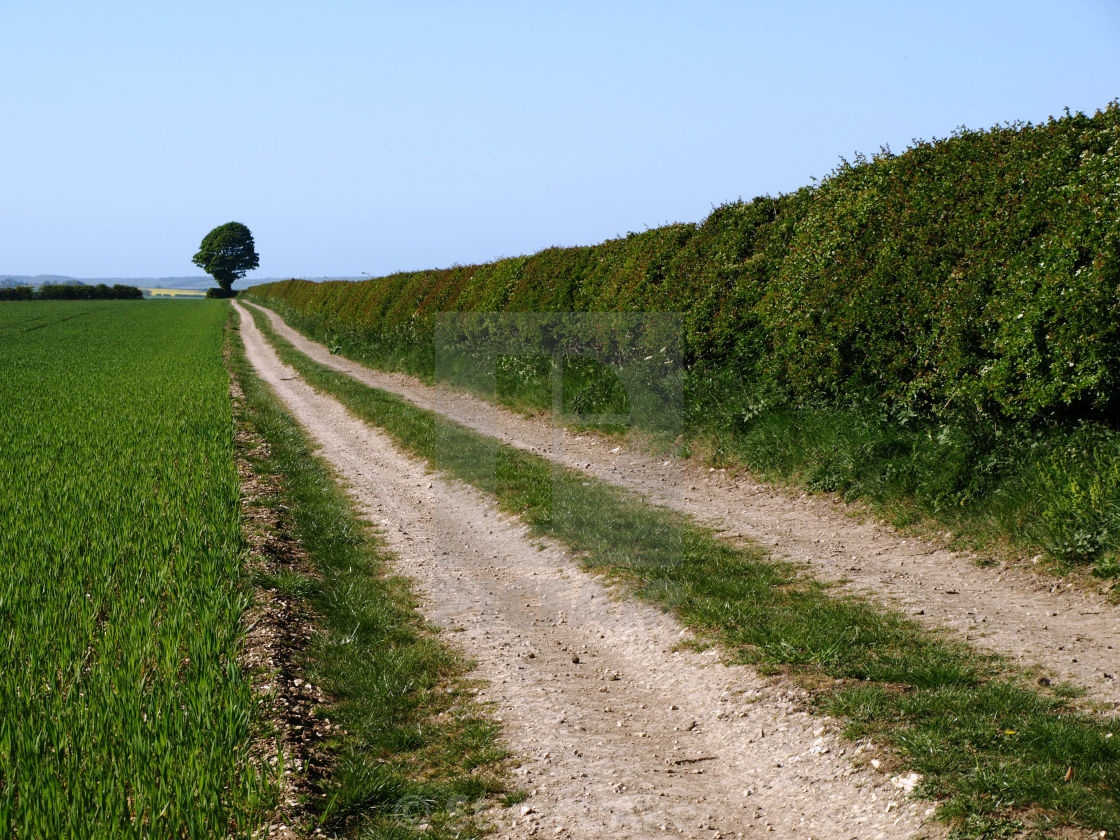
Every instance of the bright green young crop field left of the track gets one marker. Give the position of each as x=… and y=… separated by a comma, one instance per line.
x=123, y=708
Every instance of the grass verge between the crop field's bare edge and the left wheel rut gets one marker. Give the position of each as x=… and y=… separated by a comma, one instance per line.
x=416, y=755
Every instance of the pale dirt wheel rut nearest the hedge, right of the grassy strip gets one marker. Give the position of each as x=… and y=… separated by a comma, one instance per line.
x=1068, y=633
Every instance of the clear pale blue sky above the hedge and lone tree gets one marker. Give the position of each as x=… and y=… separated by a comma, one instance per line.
x=372, y=137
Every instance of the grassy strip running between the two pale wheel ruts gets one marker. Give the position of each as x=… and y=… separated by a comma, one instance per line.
x=1000, y=755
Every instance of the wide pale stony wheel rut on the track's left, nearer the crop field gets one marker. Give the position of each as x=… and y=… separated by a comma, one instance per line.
x=618, y=730
